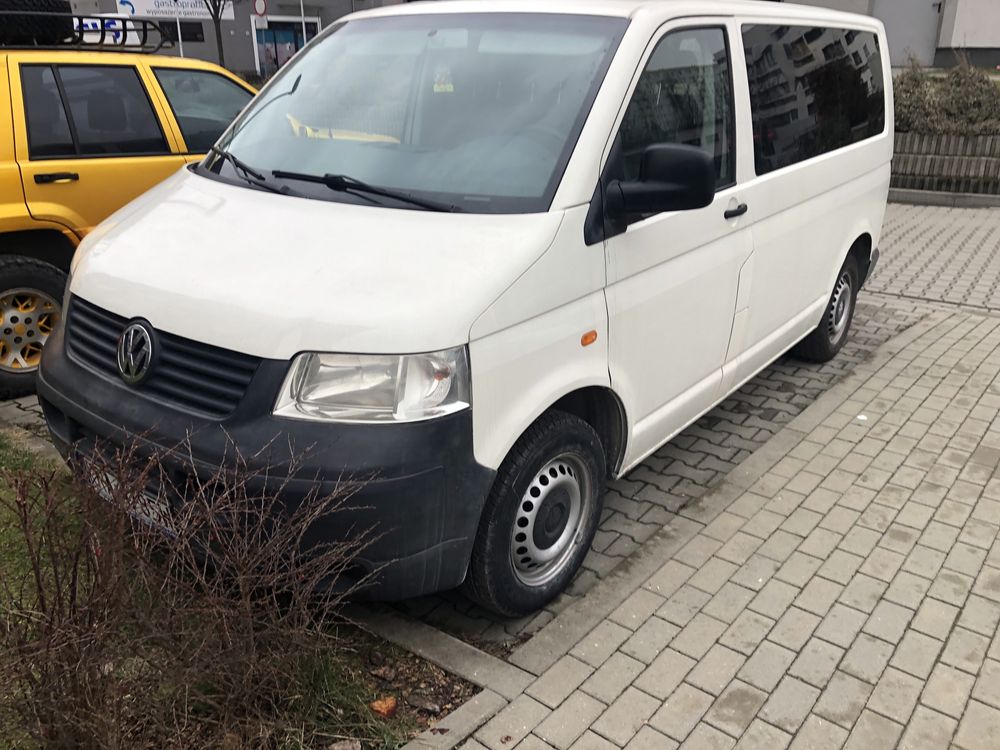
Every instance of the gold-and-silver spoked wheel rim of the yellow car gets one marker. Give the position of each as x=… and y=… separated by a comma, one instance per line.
x=27, y=319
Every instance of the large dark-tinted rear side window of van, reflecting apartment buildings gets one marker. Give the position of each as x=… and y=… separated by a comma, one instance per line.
x=812, y=90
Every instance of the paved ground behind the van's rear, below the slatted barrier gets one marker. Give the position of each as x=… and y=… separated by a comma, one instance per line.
x=942, y=254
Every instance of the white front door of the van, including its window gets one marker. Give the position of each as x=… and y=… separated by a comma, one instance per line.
x=672, y=277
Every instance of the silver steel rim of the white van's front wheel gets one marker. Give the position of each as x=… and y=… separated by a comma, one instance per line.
x=550, y=520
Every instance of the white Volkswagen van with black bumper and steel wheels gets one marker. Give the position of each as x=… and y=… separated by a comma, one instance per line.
x=485, y=255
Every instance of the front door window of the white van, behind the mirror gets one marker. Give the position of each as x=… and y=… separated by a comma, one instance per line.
x=684, y=96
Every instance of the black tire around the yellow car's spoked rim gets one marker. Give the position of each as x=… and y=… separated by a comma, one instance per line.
x=20, y=273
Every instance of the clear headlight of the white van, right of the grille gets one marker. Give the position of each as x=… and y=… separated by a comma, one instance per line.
x=375, y=387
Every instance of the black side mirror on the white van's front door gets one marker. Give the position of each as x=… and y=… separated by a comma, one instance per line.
x=672, y=177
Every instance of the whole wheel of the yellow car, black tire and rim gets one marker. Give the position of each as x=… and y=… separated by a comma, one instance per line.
x=30, y=311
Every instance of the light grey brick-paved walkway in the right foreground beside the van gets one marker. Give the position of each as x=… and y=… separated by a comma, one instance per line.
x=848, y=596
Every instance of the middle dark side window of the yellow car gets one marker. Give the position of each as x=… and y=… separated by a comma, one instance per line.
x=111, y=112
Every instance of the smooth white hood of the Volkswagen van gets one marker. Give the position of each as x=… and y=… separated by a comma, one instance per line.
x=272, y=275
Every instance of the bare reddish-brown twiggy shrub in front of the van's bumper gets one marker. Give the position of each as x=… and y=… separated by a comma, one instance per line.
x=158, y=608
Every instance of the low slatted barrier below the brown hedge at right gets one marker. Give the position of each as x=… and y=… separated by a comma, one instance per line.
x=947, y=163
